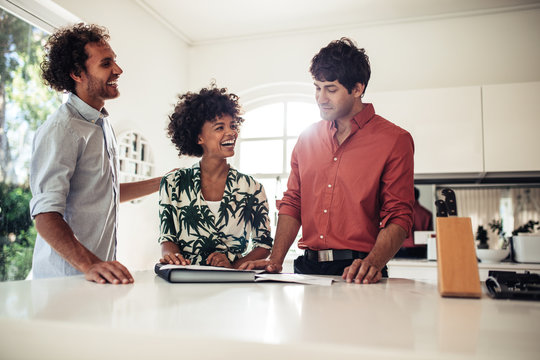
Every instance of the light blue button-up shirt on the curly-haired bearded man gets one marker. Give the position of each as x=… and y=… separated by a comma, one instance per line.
x=74, y=172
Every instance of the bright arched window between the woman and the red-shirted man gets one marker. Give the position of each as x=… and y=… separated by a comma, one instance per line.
x=266, y=141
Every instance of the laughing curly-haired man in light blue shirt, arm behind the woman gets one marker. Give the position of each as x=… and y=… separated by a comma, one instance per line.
x=74, y=167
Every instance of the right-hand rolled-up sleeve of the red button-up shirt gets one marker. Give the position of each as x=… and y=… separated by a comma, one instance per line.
x=397, y=191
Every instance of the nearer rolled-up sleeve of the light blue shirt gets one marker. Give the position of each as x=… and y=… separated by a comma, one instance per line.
x=54, y=158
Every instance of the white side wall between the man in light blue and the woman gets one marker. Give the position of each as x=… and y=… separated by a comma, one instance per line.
x=155, y=64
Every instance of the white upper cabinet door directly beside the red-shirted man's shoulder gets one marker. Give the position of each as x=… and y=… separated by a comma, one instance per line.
x=446, y=125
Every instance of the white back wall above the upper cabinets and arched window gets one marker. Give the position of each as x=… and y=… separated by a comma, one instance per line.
x=474, y=50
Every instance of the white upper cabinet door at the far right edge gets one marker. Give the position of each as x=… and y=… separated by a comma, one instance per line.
x=512, y=127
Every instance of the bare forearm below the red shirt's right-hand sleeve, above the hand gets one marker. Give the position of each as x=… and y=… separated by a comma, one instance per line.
x=388, y=243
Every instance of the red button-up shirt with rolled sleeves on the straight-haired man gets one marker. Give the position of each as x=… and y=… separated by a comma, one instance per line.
x=344, y=194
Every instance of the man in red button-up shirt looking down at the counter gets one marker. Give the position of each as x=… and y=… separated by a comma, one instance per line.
x=351, y=180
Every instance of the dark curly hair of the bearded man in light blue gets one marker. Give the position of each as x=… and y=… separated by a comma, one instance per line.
x=65, y=54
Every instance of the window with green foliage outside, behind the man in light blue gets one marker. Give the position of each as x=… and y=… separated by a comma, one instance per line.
x=26, y=106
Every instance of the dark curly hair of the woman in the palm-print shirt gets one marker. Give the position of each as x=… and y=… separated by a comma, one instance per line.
x=194, y=109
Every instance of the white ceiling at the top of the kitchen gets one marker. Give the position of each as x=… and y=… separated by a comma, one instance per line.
x=208, y=21
